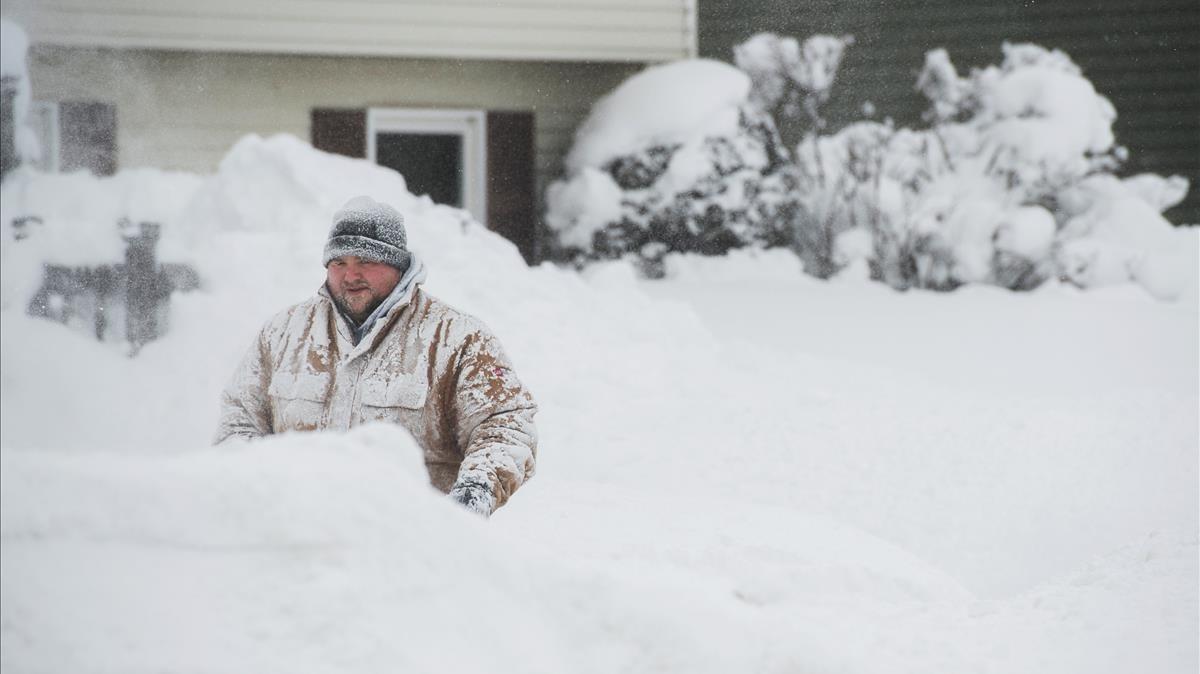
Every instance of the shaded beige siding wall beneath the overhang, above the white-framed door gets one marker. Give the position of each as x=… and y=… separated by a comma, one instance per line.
x=184, y=111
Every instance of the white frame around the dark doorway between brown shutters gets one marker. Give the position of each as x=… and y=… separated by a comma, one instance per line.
x=469, y=124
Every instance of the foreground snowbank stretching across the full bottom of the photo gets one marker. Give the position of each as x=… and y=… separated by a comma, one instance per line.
x=332, y=553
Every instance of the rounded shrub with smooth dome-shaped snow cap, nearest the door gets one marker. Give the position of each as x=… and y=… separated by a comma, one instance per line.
x=676, y=159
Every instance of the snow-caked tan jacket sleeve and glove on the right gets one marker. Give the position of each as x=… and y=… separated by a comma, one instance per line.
x=495, y=423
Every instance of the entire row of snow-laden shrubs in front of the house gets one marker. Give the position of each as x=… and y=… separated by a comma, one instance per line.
x=1011, y=182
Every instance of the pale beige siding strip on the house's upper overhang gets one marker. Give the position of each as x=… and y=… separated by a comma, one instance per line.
x=568, y=31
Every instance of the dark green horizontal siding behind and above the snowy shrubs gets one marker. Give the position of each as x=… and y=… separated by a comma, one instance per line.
x=1144, y=56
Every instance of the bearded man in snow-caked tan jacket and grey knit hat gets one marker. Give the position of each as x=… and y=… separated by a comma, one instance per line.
x=373, y=346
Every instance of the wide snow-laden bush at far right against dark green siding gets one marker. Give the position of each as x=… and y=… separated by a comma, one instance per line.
x=992, y=192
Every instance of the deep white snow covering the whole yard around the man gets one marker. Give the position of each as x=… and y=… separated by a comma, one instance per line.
x=742, y=470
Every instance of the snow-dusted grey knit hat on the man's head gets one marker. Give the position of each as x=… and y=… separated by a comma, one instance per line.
x=369, y=230
